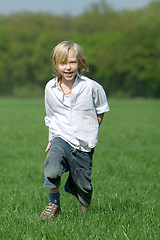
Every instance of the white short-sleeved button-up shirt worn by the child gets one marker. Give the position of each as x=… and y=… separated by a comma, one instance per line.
x=76, y=122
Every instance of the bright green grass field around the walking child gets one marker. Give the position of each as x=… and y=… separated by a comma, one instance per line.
x=126, y=176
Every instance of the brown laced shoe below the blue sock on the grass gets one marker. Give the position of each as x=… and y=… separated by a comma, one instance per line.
x=50, y=212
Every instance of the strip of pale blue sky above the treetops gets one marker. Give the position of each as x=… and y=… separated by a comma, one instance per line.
x=59, y=7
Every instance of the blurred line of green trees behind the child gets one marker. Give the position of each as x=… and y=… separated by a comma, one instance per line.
x=122, y=48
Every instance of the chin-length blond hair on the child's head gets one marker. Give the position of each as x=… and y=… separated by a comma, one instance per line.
x=60, y=53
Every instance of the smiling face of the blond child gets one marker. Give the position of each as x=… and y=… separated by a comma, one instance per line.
x=68, y=69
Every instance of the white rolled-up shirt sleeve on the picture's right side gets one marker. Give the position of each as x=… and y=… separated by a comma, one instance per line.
x=100, y=99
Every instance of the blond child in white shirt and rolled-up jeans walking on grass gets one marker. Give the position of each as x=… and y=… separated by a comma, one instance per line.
x=75, y=106
